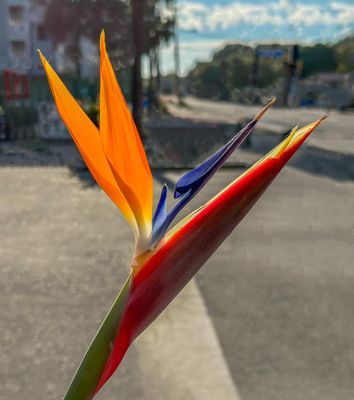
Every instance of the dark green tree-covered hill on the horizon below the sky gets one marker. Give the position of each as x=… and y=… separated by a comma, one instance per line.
x=233, y=67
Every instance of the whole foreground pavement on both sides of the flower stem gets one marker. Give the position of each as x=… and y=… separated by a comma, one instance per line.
x=279, y=292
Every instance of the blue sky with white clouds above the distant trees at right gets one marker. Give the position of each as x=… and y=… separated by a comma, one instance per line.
x=207, y=25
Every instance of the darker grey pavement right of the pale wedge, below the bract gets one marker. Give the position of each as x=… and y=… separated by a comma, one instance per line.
x=280, y=289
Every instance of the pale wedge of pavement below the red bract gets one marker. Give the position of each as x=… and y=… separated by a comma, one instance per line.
x=182, y=349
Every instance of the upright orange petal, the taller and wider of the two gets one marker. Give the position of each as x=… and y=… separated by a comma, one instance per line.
x=122, y=146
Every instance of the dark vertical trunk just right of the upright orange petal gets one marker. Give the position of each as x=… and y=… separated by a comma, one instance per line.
x=137, y=88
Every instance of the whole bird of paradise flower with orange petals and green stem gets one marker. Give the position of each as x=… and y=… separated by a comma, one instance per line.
x=165, y=259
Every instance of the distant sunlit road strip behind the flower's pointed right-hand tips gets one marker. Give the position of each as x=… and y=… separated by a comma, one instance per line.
x=337, y=134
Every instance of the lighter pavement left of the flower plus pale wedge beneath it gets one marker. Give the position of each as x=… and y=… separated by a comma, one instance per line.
x=65, y=252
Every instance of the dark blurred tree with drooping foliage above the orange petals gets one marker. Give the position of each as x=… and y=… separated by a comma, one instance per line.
x=125, y=22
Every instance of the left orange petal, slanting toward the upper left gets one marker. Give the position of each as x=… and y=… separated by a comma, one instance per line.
x=87, y=139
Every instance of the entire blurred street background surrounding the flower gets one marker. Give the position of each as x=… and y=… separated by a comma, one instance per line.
x=271, y=314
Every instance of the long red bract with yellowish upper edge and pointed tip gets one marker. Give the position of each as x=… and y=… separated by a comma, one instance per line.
x=167, y=270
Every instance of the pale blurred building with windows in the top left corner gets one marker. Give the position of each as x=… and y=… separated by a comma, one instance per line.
x=21, y=33
